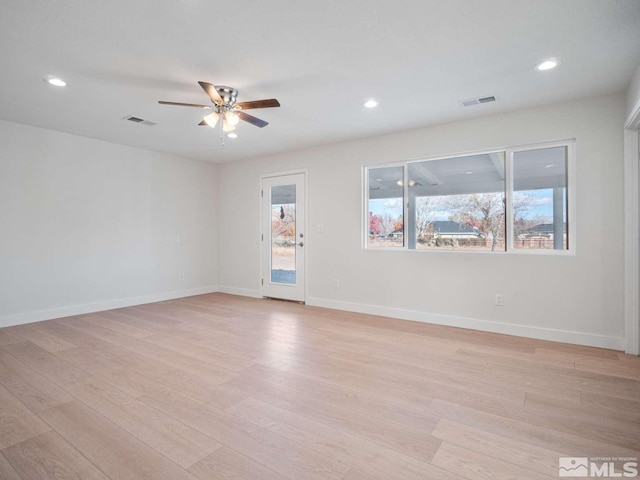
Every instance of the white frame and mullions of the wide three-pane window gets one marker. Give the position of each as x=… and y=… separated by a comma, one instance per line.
x=508, y=195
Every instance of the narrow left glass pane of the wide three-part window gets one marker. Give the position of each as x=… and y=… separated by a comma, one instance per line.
x=385, y=204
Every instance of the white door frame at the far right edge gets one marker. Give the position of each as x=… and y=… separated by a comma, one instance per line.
x=632, y=232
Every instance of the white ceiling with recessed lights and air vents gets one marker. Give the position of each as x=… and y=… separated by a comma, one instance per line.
x=321, y=60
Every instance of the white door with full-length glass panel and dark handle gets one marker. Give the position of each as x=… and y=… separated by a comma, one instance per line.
x=283, y=237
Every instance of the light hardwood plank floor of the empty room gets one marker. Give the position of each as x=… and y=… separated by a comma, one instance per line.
x=225, y=387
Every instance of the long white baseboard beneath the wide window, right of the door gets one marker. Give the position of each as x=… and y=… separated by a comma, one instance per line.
x=564, y=336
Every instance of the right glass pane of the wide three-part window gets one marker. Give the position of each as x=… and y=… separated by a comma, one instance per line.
x=539, y=205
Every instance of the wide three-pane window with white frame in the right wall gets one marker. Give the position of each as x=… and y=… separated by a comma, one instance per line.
x=515, y=199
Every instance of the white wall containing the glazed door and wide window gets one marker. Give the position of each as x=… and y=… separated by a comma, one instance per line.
x=577, y=298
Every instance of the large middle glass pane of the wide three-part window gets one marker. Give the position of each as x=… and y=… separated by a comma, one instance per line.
x=457, y=203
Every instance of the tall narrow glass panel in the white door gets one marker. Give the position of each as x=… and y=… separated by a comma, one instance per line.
x=283, y=234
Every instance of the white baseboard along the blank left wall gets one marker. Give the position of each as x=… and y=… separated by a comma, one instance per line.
x=39, y=315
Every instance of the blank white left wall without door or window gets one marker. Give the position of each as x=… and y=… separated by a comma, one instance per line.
x=87, y=225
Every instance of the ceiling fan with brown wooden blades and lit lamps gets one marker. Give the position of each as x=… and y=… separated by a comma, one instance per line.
x=225, y=106
